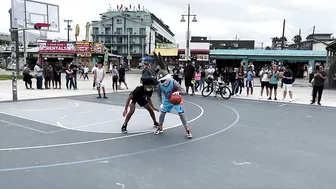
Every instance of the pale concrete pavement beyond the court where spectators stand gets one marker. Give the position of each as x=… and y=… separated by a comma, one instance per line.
x=301, y=90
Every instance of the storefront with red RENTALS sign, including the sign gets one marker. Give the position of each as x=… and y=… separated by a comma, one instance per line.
x=54, y=52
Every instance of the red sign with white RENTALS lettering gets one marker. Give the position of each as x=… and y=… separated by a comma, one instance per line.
x=56, y=47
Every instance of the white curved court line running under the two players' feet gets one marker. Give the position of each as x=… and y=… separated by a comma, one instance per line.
x=100, y=140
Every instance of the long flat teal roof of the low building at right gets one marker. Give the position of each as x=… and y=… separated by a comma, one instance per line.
x=269, y=52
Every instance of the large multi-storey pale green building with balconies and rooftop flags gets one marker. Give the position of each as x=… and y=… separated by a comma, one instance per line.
x=142, y=29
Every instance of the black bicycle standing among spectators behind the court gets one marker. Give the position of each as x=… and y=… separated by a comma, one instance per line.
x=221, y=88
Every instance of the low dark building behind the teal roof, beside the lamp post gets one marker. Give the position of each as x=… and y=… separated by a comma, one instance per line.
x=224, y=44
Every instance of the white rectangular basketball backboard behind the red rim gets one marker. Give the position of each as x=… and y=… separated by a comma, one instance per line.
x=26, y=13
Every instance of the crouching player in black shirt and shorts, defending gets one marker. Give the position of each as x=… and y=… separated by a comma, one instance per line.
x=141, y=95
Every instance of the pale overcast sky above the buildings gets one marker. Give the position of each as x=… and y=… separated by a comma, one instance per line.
x=219, y=19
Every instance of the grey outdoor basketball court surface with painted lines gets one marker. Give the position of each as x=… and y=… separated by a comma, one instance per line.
x=75, y=143
